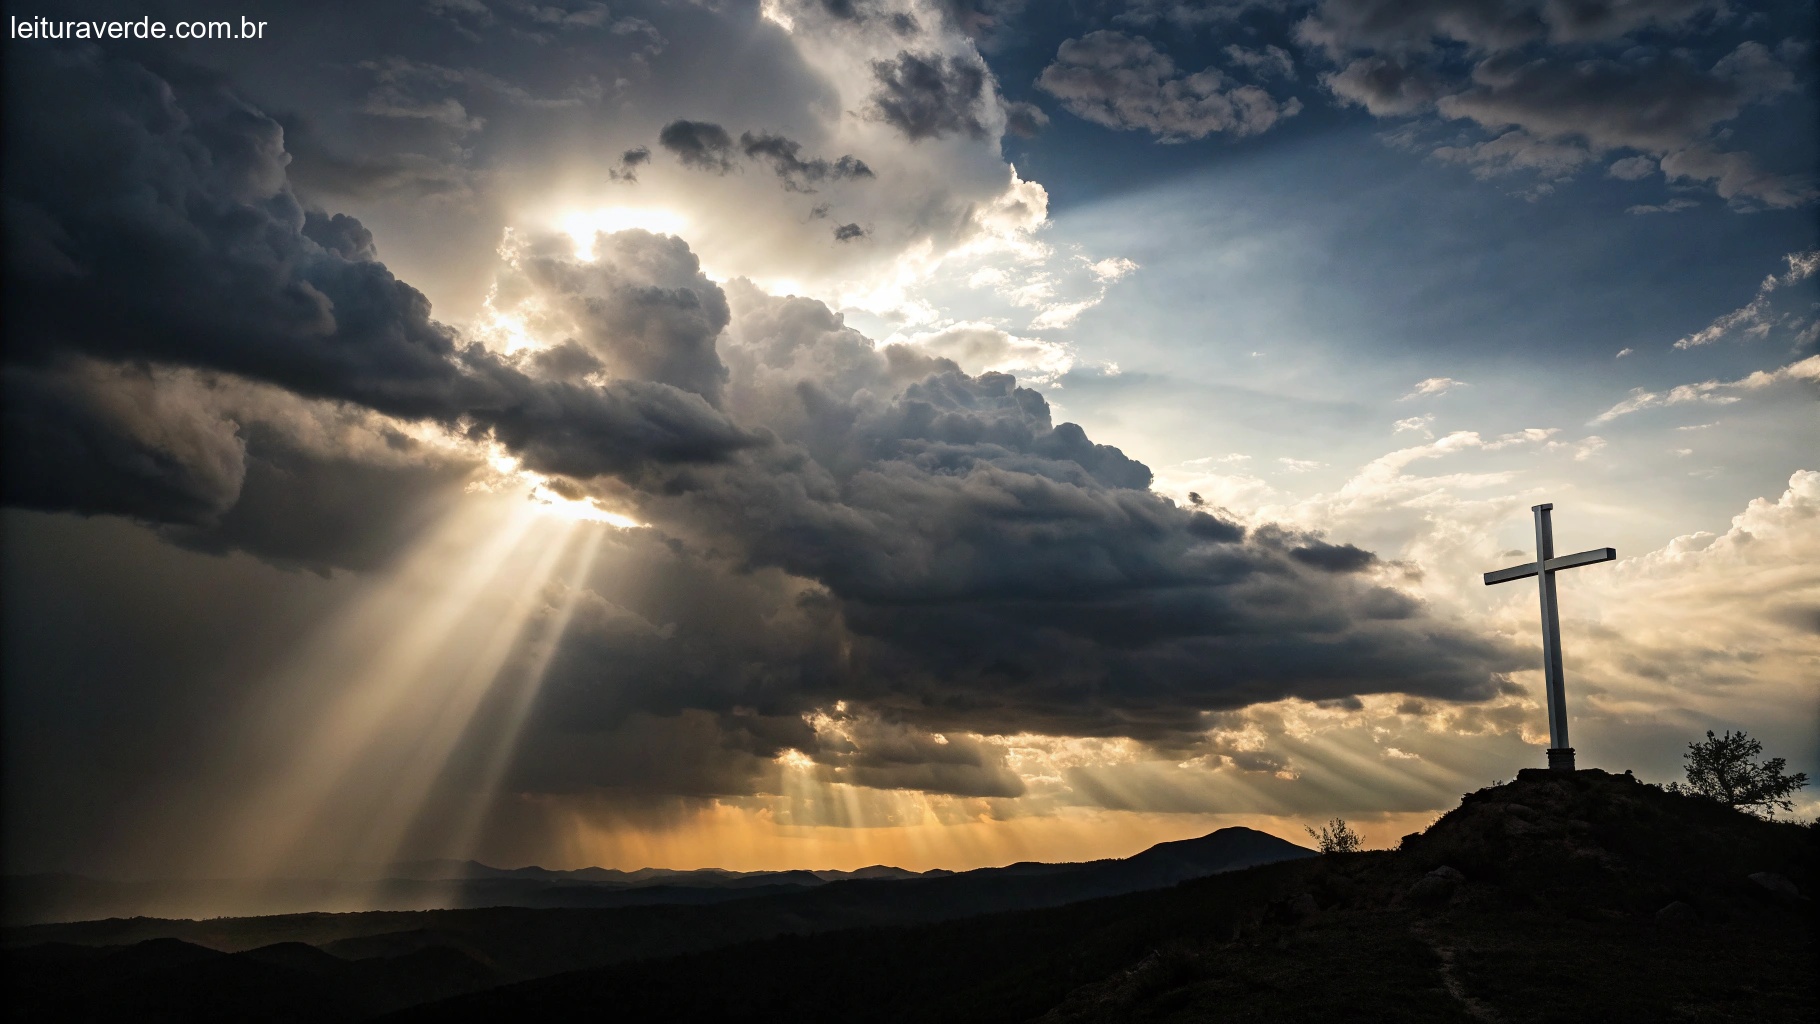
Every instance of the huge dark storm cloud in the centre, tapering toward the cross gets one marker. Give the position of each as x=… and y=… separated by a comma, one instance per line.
x=975, y=568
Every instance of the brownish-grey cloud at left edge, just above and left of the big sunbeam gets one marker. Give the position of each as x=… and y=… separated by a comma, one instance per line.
x=223, y=465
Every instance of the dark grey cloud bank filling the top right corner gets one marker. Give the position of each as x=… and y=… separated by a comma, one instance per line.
x=1564, y=81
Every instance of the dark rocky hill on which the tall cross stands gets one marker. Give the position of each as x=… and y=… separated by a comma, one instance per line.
x=1555, y=898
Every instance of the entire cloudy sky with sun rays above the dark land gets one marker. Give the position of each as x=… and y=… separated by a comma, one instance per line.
x=814, y=434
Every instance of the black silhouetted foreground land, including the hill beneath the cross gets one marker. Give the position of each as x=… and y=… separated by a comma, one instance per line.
x=1581, y=898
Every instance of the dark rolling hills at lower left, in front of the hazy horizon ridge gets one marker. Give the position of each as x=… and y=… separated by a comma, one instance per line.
x=347, y=967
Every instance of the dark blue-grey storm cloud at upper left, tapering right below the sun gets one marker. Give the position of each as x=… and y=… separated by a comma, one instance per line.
x=152, y=221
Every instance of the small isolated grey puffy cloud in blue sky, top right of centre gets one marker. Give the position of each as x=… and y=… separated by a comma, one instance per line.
x=1126, y=83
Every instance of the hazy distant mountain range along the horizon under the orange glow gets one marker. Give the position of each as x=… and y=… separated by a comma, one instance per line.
x=463, y=885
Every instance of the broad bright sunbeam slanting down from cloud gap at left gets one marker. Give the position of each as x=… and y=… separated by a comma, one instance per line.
x=370, y=714
